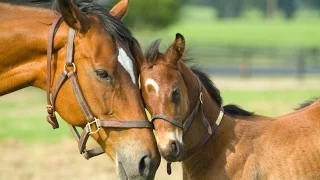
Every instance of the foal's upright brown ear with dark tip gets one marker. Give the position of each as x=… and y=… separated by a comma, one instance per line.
x=176, y=50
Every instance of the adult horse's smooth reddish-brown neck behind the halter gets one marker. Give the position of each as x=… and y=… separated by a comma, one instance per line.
x=23, y=42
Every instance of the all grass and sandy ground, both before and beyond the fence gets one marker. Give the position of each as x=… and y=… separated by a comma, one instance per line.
x=31, y=150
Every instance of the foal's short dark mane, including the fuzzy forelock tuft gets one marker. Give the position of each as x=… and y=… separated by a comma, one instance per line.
x=152, y=54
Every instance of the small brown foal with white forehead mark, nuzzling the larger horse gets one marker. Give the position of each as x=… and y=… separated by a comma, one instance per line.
x=237, y=144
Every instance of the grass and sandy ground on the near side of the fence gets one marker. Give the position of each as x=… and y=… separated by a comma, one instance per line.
x=30, y=149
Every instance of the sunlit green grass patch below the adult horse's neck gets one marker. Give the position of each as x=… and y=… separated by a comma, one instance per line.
x=23, y=117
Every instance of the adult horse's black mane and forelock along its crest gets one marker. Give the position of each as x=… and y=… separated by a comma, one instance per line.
x=112, y=25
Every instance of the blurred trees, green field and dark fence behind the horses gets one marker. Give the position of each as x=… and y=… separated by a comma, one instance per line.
x=235, y=37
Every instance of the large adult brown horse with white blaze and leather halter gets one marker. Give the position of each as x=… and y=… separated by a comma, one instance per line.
x=92, y=80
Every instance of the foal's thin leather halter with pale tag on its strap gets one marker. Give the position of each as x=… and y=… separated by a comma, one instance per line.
x=185, y=126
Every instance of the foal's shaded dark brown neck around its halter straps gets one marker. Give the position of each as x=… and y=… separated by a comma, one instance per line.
x=200, y=161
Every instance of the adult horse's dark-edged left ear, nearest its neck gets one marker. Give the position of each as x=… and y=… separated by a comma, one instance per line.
x=73, y=16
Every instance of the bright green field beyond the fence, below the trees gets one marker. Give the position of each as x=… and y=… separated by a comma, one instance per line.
x=200, y=26
